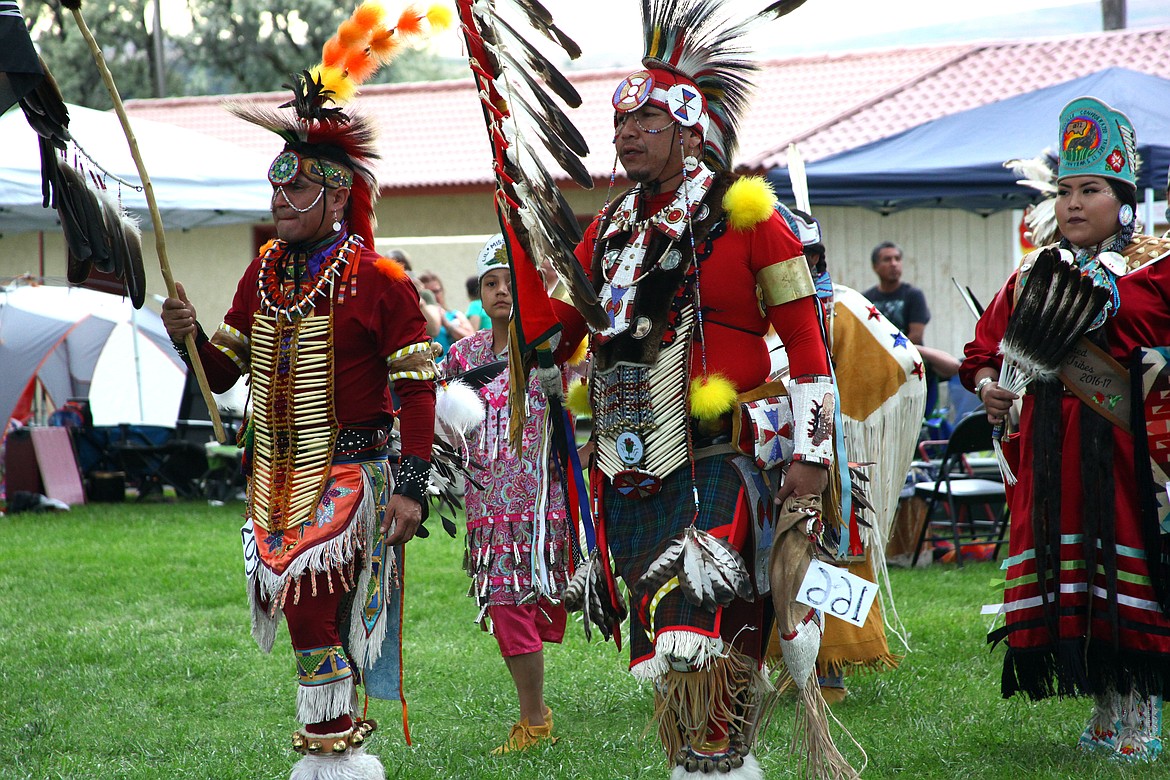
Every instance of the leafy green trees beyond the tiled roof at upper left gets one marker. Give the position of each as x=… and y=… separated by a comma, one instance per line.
x=235, y=46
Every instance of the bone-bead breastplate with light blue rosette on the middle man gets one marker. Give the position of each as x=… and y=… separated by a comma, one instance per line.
x=641, y=412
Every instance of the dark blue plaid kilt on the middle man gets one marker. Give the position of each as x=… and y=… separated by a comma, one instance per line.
x=639, y=529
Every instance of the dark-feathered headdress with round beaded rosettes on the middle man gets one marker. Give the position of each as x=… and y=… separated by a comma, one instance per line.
x=697, y=70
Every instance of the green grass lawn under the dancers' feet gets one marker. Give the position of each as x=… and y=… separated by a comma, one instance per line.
x=126, y=636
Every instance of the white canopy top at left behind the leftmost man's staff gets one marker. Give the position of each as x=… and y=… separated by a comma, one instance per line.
x=198, y=181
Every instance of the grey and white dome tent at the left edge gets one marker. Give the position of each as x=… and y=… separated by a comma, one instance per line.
x=85, y=344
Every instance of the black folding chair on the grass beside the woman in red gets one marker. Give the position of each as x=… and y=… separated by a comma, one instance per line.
x=959, y=492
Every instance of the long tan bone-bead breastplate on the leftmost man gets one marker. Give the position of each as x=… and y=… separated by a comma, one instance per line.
x=294, y=423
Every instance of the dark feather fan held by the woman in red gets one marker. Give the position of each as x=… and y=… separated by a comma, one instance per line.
x=1057, y=307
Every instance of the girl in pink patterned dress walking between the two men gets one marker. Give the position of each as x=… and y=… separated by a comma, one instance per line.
x=518, y=535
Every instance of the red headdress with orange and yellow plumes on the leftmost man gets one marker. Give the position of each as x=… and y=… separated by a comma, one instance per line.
x=321, y=140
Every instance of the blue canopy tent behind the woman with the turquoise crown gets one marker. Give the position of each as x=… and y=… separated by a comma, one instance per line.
x=956, y=162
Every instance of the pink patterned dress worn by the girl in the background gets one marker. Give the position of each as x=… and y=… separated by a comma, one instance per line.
x=515, y=553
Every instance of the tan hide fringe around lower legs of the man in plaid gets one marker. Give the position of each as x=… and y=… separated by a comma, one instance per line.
x=729, y=691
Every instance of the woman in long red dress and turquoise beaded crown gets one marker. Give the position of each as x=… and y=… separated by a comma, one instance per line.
x=1088, y=603
